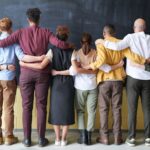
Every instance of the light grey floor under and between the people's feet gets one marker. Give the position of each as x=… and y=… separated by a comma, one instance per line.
x=72, y=145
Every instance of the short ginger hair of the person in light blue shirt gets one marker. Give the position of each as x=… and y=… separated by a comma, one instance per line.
x=5, y=24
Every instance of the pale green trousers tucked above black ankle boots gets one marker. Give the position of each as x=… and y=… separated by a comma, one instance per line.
x=83, y=99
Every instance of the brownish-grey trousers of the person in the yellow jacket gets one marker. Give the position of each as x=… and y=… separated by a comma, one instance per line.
x=110, y=93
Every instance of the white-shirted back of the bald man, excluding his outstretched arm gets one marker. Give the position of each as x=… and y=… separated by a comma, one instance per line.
x=139, y=43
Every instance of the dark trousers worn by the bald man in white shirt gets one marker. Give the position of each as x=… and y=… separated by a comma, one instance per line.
x=135, y=89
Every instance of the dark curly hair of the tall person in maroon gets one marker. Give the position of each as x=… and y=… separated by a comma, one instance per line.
x=33, y=14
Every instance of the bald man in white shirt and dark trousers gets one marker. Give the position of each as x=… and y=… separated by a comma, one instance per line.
x=138, y=80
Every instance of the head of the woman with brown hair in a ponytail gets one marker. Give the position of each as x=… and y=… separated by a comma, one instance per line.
x=86, y=41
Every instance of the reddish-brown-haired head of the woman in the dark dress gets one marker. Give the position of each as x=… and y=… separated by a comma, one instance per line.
x=62, y=32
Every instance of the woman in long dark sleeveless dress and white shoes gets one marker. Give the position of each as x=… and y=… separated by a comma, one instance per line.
x=61, y=113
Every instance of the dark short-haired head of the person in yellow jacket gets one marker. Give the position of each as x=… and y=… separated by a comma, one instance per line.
x=109, y=30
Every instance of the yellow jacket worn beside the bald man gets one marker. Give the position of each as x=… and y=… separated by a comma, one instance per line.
x=107, y=56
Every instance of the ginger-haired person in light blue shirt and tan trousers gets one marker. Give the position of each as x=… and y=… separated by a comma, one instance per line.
x=8, y=81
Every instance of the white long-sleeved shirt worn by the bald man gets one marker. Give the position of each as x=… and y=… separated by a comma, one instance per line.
x=139, y=43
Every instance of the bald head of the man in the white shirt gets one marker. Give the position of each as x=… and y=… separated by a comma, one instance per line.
x=139, y=25
